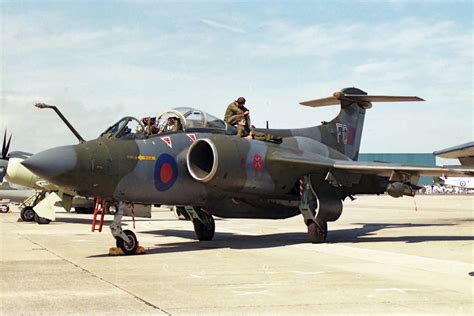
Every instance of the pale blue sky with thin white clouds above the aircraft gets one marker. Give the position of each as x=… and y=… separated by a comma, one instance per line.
x=101, y=60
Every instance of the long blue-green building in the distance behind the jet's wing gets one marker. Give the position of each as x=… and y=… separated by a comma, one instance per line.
x=425, y=159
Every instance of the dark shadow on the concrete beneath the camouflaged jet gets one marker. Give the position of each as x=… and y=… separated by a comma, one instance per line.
x=364, y=234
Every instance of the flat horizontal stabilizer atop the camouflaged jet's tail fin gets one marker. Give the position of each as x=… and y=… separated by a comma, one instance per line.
x=341, y=96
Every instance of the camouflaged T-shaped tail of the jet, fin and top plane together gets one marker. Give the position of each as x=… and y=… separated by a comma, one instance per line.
x=344, y=132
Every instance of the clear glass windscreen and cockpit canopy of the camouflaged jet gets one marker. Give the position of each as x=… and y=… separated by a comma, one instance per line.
x=175, y=120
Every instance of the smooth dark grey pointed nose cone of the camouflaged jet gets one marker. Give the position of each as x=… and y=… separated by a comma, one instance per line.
x=53, y=163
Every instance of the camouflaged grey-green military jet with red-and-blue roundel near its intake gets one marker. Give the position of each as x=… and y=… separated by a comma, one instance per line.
x=203, y=167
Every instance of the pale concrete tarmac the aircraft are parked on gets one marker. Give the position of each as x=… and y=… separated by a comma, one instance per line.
x=383, y=256
